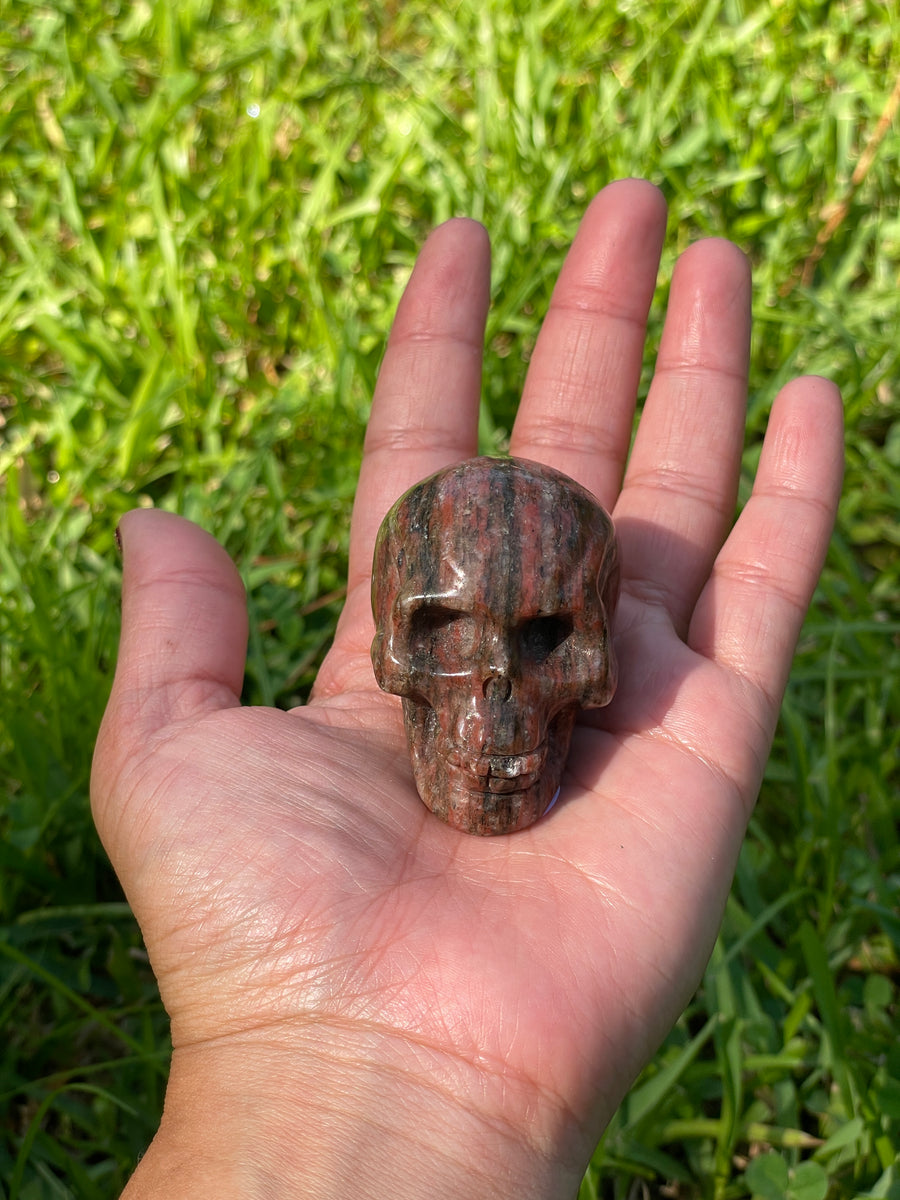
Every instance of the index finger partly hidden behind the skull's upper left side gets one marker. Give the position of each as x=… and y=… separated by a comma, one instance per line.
x=427, y=401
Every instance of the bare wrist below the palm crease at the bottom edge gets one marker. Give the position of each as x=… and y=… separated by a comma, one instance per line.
x=338, y=1118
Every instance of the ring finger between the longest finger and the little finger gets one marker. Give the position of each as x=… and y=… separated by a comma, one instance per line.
x=681, y=487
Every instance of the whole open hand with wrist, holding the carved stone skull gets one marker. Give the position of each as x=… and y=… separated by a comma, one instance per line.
x=363, y=999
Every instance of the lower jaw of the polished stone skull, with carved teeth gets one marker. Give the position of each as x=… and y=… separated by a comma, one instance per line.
x=476, y=802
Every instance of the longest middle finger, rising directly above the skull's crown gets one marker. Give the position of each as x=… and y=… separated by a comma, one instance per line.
x=579, y=401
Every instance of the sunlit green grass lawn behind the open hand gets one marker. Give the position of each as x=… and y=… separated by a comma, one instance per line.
x=207, y=215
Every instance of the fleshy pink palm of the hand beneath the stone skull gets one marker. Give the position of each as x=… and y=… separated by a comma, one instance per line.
x=293, y=872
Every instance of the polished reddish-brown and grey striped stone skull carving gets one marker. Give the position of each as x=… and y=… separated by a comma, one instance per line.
x=494, y=589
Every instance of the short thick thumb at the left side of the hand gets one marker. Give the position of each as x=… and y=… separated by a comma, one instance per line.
x=184, y=635
